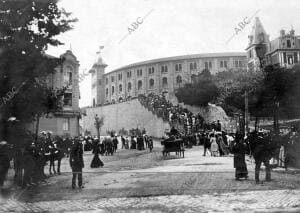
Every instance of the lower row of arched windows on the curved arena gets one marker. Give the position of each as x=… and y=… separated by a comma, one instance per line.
x=140, y=85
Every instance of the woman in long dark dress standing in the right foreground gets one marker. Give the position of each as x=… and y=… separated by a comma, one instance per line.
x=239, y=150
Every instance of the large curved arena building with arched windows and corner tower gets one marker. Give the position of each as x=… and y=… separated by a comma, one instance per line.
x=158, y=75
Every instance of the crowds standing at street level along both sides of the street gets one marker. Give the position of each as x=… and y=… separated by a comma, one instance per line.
x=30, y=161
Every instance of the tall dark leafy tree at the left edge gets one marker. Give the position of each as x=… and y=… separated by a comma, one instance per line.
x=27, y=28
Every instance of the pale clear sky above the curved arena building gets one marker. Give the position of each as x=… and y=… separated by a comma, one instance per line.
x=170, y=28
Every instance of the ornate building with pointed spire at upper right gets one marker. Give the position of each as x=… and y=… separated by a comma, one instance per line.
x=283, y=51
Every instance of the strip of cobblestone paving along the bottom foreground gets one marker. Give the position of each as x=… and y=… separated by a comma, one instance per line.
x=253, y=201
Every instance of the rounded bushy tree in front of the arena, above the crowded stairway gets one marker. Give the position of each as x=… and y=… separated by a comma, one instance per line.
x=200, y=92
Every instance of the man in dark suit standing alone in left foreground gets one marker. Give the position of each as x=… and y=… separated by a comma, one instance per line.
x=76, y=163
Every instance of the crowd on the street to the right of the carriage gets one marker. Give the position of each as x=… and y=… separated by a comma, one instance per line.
x=262, y=146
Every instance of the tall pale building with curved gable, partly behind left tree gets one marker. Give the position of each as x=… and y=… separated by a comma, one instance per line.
x=66, y=122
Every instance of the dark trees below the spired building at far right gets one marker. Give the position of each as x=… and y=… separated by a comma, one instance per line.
x=272, y=92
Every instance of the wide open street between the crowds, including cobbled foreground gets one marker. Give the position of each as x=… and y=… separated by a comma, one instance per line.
x=140, y=181
